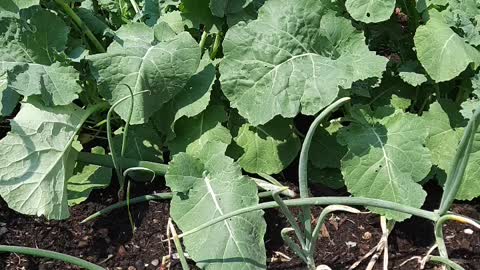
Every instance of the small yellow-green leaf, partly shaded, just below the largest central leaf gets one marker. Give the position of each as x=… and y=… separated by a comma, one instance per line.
x=269, y=148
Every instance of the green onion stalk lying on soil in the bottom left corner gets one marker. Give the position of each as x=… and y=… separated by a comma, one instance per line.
x=51, y=255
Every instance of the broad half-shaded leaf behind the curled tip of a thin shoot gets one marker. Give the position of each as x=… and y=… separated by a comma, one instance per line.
x=163, y=69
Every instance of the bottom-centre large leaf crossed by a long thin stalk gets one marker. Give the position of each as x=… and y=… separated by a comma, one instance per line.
x=209, y=184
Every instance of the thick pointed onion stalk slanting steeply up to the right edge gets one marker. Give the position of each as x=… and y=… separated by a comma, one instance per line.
x=457, y=171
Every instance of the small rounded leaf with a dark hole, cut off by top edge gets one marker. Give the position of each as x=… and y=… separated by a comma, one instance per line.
x=370, y=11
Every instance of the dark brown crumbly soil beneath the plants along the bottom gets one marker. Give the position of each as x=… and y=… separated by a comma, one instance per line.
x=346, y=238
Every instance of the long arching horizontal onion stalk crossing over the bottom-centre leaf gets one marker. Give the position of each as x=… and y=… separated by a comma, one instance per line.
x=358, y=201
